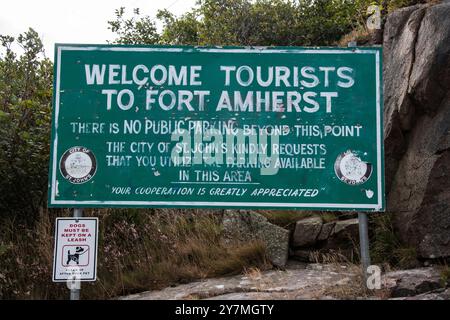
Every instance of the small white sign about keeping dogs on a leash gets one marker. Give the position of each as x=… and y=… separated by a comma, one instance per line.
x=75, y=255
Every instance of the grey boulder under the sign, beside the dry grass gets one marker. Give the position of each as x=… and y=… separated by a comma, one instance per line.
x=244, y=225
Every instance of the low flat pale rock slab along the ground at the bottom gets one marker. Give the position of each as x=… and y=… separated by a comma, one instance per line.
x=307, y=281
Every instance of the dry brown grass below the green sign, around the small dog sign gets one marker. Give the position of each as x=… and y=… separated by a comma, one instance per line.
x=138, y=251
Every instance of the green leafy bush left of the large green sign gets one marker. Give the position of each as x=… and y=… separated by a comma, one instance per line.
x=25, y=102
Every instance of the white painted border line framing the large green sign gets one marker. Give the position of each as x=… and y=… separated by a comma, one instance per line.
x=53, y=185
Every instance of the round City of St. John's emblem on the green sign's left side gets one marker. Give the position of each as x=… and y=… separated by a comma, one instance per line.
x=78, y=165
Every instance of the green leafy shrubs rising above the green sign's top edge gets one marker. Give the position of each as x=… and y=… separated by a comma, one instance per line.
x=245, y=22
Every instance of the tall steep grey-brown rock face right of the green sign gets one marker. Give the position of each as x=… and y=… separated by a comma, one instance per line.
x=417, y=126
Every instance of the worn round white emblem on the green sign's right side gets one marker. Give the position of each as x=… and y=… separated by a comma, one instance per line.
x=351, y=169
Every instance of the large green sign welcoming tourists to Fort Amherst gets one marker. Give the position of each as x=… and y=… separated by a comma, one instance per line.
x=153, y=126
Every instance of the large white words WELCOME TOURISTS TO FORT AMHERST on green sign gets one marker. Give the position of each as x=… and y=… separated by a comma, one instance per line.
x=155, y=78
